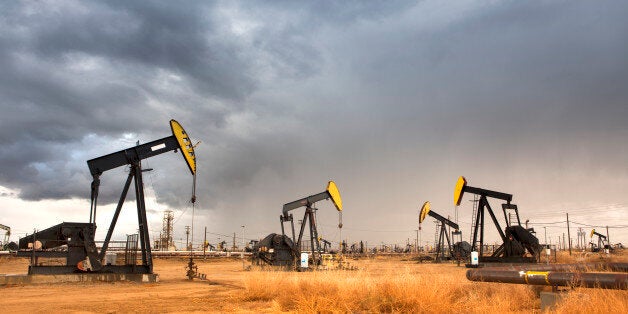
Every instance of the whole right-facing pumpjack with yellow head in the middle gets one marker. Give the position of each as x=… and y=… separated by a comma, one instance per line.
x=282, y=250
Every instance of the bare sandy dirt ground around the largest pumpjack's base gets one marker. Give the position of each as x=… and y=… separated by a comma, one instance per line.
x=173, y=292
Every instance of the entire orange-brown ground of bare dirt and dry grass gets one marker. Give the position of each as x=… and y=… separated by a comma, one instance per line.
x=379, y=285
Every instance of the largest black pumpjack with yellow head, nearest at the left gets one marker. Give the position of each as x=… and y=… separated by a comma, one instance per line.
x=74, y=241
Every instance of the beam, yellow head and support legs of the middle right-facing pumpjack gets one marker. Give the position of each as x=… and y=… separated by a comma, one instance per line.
x=330, y=193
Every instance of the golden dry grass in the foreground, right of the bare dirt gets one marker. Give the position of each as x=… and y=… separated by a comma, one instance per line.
x=397, y=286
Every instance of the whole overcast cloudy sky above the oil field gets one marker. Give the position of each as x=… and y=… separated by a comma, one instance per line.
x=392, y=100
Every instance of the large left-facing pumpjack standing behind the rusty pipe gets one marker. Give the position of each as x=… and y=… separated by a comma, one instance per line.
x=517, y=241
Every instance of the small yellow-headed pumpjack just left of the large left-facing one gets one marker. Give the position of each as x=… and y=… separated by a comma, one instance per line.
x=458, y=250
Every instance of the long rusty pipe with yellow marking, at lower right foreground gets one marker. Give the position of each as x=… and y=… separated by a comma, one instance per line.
x=551, y=278
